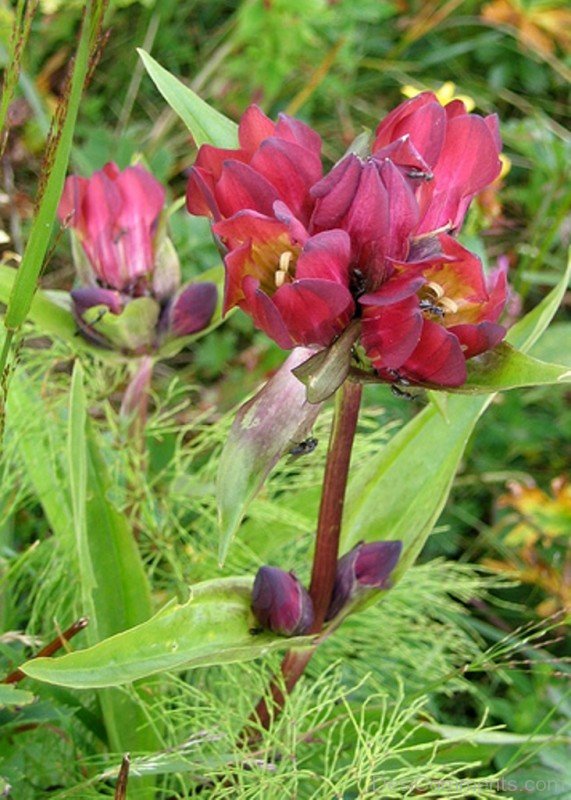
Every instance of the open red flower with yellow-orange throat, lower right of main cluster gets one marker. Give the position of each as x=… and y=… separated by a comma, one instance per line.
x=423, y=323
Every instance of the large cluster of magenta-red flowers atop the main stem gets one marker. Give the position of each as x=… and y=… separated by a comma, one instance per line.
x=373, y=240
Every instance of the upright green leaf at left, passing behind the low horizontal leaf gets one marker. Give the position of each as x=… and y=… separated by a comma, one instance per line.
x=114, y=586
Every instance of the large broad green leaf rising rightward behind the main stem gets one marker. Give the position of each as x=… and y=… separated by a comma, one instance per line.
x=399, y=494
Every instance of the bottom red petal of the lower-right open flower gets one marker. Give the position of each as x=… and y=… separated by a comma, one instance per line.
x=437, y=359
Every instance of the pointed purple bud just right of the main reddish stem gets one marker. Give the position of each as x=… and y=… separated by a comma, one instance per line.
x=366, y=566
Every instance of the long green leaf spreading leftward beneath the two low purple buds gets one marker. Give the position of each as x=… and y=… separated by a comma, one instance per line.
x=215, y=626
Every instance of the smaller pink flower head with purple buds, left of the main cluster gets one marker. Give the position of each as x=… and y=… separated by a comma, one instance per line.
x=128, y=295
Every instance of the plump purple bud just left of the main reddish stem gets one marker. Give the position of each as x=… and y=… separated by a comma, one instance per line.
x=280, y=603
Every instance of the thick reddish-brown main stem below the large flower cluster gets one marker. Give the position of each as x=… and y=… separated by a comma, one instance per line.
x=347, y=403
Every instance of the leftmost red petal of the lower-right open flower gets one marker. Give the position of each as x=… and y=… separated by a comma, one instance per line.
x=391, y=333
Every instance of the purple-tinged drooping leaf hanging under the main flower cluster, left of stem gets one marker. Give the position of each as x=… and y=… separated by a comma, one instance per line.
x=276, y=419
